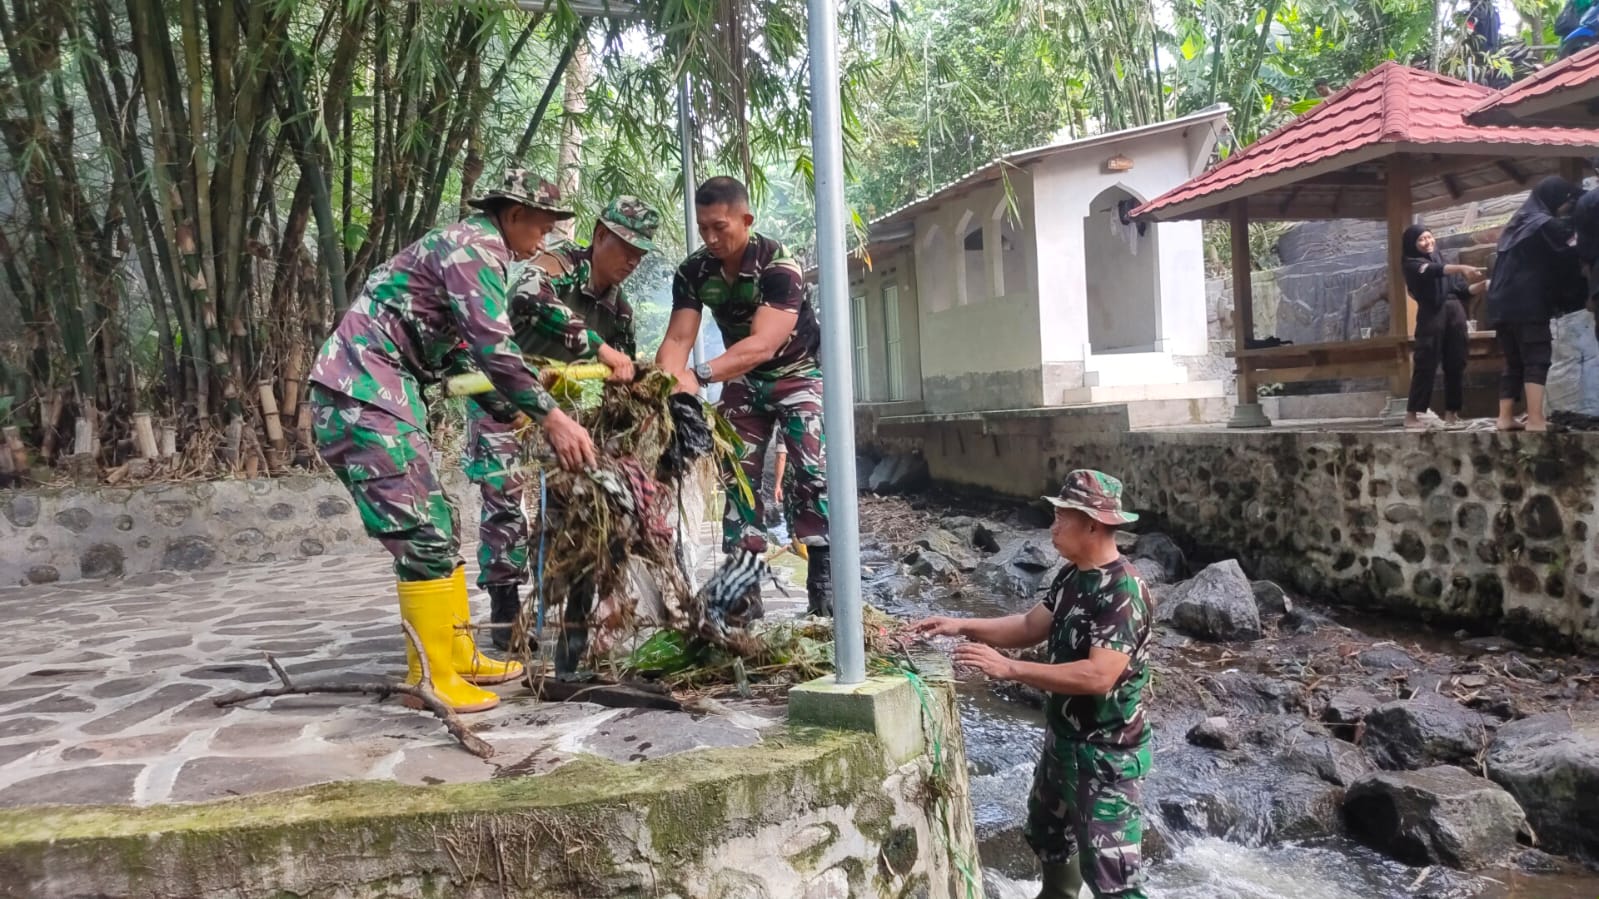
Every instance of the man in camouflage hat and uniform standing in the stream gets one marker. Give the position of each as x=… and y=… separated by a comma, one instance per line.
x=1083, y=815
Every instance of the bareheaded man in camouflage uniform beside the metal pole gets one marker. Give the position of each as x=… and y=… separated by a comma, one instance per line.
x=772, y=375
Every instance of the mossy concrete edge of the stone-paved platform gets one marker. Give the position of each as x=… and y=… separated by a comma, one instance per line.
x=564, y=826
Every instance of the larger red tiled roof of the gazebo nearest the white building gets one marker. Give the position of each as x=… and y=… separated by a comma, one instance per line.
x=1389, y=111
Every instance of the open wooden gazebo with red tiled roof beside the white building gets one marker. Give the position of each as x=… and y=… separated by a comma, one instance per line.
x=1394, y=143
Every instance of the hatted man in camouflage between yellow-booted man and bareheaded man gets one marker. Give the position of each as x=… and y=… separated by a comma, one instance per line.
x=567, y=306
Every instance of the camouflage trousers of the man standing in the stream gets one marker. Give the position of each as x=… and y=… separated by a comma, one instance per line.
x=1087, y=799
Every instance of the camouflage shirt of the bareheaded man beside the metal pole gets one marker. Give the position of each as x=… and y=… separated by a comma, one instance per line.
x=768, y=278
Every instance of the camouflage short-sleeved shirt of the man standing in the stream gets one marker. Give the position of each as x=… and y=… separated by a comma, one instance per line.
x=1106, y=609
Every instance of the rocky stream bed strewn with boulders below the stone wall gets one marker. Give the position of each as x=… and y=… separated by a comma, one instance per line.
x=1277, y=721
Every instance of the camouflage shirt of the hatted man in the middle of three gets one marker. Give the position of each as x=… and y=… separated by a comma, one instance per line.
x=570, y=322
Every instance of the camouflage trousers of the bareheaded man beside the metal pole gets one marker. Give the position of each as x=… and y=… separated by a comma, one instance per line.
x=794, y=407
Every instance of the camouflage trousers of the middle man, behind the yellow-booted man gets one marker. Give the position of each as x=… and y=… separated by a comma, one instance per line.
x=493, y=452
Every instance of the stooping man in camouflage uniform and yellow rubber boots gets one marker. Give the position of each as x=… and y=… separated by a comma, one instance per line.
x=436, y=310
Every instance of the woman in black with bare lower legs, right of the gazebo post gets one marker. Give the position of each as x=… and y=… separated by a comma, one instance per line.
x=1537, y=276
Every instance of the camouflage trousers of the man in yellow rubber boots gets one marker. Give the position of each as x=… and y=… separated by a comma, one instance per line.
x=388, y=466
